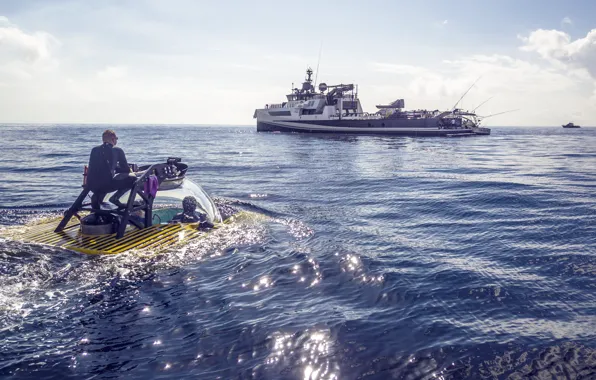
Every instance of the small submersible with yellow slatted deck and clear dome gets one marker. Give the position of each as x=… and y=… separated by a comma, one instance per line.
x=145, y=223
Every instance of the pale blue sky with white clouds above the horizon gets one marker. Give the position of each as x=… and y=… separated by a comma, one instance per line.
x=214, y=62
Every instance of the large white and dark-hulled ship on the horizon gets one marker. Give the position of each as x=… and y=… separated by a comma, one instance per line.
x=337, y=109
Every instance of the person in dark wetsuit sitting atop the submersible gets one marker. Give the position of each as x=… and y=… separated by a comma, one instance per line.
x=108, y=171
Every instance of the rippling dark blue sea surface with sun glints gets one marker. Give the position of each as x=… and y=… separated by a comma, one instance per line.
x=368, y=258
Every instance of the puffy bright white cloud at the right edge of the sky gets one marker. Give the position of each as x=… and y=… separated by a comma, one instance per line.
x=556, y=46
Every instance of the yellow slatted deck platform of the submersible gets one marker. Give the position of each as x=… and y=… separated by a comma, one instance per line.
x=157, y=237
